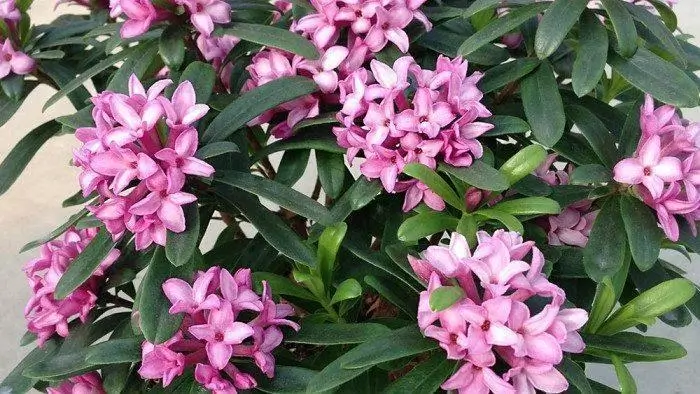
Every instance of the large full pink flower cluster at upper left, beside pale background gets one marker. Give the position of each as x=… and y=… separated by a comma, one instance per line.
x=138, y=178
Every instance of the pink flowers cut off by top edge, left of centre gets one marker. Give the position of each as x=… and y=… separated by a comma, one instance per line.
x=140, y=15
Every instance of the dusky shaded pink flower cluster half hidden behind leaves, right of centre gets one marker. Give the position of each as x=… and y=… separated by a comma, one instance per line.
x=573, y=225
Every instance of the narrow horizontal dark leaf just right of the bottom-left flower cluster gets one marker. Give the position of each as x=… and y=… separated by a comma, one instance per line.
x=336, y=334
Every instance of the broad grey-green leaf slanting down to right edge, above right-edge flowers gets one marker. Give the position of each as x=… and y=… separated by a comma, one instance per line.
x=651, y=74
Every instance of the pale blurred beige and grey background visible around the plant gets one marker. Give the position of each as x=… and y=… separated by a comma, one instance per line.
x=32, y=208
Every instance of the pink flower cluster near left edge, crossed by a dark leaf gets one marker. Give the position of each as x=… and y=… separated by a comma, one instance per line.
x=45, y=314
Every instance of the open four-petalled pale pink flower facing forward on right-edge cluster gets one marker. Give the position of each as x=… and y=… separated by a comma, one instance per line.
x=649, y=168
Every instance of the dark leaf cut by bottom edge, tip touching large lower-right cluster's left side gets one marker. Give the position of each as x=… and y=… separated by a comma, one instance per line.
x=424, y=378
